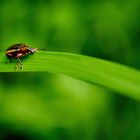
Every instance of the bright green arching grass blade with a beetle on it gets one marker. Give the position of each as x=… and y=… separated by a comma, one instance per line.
x=122, y=79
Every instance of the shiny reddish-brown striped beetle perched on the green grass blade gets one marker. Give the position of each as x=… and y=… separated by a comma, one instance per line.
x=16, y=51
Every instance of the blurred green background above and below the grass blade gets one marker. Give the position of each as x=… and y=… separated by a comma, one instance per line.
x=41, y=106
